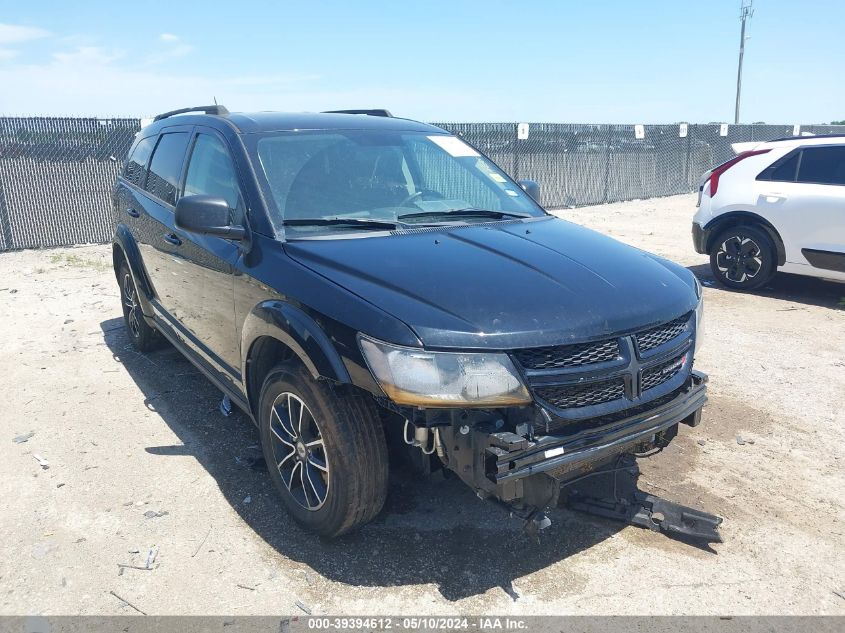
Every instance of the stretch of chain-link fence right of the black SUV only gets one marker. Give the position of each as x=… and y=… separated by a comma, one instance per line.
x=578, y=165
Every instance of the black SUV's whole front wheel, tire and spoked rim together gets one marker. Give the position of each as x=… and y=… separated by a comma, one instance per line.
x=325, y=449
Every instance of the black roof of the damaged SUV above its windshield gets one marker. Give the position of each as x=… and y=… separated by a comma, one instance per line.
x=255, y=122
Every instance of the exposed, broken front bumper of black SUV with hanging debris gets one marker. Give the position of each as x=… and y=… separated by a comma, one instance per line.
x=530, y=472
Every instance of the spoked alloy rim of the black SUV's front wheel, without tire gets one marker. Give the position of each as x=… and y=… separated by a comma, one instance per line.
x=298, y=451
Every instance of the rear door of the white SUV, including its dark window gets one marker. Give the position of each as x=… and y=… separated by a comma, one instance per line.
x=803, y=195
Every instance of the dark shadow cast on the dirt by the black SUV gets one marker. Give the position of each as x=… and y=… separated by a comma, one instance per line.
x=430, y=531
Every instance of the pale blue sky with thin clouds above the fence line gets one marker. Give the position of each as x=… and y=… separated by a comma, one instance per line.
x=461, y=60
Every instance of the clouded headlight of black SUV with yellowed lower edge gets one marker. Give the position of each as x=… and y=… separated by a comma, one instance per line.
x=441, y=379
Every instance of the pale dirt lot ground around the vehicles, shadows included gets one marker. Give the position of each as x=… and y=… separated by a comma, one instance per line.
x=140, y=459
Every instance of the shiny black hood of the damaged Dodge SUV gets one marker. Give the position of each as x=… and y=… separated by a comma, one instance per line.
x=505, y=285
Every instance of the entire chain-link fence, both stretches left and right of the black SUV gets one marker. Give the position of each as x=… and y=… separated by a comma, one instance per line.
x=56, y=174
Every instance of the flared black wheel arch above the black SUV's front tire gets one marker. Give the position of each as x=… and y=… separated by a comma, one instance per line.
x=296, y=329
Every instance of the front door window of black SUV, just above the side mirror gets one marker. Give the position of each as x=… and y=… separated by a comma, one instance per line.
x=211, y=172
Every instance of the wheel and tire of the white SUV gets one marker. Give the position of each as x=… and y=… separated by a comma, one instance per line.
x=743, y=258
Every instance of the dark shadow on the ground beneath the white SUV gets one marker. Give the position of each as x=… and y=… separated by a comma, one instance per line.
x=810, y=291
